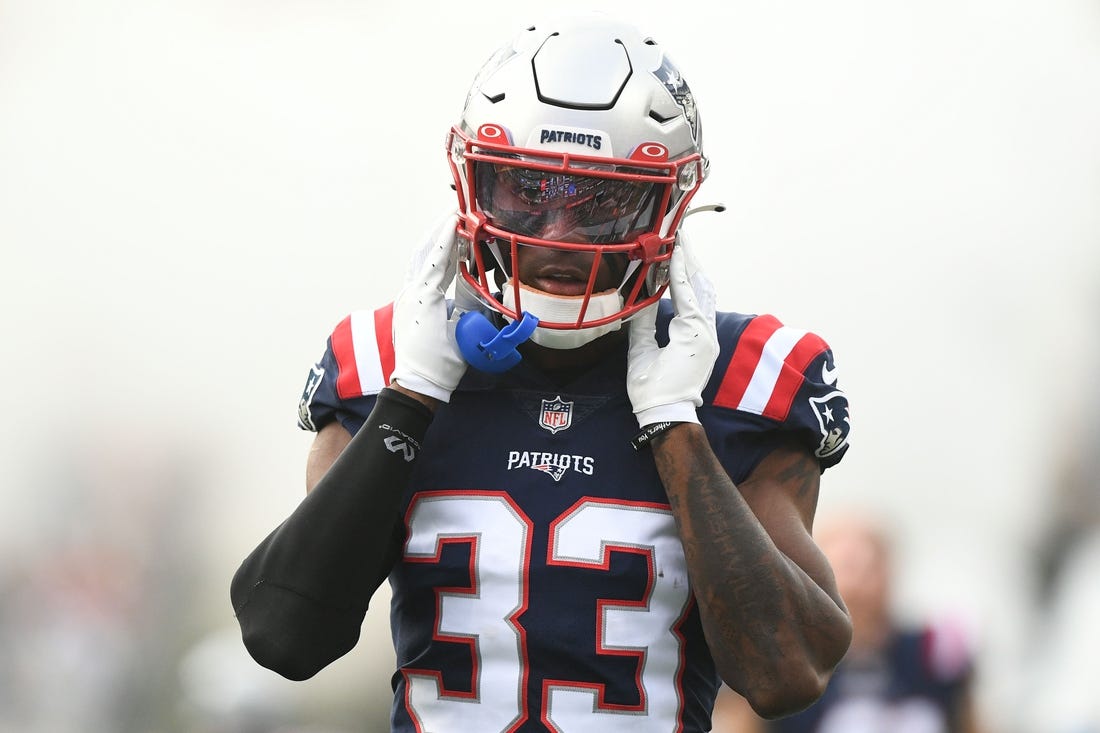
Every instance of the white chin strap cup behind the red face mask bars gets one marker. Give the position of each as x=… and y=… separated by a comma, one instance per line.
x=563, y=310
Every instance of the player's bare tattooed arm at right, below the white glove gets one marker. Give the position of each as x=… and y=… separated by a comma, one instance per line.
x=765, y=618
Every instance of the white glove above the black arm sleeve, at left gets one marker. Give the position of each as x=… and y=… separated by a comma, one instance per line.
x=426, y=358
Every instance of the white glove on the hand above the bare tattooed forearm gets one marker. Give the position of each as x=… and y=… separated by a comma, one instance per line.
x=667, y=384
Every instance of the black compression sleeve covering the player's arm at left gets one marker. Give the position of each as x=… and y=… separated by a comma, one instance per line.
x=302, y=595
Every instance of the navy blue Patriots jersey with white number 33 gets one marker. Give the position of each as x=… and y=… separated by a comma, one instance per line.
x=542, y=584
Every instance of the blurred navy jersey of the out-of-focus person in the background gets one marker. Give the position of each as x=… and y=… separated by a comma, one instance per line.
x=919, y=683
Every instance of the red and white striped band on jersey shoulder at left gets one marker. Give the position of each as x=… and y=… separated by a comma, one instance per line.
x=365, y=353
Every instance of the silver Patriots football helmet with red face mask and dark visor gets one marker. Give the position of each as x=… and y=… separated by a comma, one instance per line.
x=580, y=136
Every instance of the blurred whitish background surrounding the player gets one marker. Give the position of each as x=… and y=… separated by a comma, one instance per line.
x=194, y=192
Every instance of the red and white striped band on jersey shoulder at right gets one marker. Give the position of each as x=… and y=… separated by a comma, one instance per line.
x=765, y=373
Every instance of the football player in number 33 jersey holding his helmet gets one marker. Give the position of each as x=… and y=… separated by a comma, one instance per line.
x=591, y=495
